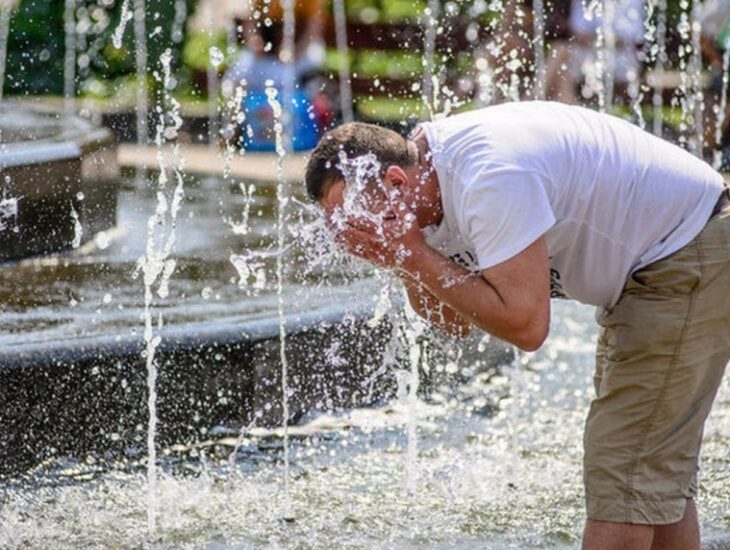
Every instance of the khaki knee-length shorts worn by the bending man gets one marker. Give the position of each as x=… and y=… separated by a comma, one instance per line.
x=661, y=355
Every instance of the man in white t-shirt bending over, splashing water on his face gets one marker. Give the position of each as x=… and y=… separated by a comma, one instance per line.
x=486, y=214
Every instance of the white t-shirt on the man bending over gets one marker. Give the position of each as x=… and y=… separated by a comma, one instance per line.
x=608, y=197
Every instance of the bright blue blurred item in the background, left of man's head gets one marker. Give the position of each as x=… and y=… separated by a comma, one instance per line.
x=258, y=129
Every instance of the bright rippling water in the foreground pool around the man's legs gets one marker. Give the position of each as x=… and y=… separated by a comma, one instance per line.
x=499, y=466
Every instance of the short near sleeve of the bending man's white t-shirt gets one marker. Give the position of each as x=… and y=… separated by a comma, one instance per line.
x=503, y=213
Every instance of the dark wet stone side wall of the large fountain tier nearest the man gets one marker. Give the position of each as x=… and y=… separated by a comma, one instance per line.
x=88, y=397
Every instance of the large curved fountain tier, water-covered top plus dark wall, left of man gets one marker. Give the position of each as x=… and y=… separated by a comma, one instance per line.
x=73, y=380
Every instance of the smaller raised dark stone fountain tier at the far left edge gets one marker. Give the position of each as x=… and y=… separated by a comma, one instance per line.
x=58, y=178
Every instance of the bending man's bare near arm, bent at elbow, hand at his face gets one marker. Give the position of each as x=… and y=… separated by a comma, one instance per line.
x=510, y=300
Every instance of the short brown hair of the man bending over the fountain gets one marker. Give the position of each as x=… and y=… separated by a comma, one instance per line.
x=354, y=139
